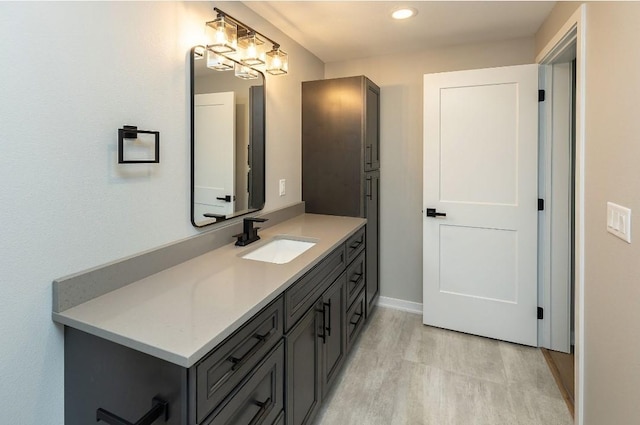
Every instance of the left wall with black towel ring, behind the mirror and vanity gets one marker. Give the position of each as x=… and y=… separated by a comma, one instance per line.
x=71, y=75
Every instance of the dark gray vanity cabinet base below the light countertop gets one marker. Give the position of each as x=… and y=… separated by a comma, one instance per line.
x=274, y=370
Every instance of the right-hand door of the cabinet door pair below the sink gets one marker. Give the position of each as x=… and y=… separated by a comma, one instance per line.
x=334, y=341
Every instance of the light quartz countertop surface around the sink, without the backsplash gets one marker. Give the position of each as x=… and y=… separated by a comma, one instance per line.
x=183, y=312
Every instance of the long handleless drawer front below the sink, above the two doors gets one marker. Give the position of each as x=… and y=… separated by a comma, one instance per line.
x=303, y=294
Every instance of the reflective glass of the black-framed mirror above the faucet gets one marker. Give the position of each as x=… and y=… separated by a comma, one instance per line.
x=227, y=143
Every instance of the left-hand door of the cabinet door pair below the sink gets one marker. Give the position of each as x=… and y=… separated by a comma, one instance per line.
x=303, y=367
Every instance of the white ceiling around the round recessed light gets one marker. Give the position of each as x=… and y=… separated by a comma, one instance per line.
x=340, y=30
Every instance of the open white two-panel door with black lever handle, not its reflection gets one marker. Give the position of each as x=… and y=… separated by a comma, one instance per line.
x=480, y=169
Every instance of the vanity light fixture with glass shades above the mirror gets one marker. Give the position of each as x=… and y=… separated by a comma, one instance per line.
x=248, y=48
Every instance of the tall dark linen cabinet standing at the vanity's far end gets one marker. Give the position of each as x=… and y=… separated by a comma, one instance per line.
x=341, y=158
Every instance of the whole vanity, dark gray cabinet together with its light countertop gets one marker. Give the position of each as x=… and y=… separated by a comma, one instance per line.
x=221, y=339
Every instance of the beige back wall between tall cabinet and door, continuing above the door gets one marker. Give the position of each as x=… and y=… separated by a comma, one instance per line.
x=400, y=80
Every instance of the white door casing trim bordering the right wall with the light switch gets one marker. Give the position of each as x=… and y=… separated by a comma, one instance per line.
x=573, y=31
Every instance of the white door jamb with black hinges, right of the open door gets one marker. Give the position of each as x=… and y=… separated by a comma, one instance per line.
x=555, y=187
